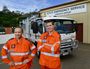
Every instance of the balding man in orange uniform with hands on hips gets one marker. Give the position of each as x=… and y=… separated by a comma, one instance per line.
x=20, y=49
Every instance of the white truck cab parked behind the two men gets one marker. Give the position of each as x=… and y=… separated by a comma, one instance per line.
x=64, y=26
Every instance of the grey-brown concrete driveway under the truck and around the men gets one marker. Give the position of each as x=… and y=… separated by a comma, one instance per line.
x=80, y=60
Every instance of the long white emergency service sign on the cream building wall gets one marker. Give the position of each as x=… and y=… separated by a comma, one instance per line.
x=68, y=10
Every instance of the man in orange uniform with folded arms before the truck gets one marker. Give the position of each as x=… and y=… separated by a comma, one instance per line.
x=49, y=47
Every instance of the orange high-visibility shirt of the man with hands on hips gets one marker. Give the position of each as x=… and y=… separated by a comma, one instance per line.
x=19, y=51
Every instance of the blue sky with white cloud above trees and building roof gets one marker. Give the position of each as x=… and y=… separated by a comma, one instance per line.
x=29, y=5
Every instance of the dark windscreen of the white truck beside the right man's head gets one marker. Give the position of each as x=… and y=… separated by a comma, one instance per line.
x=64, y=26
